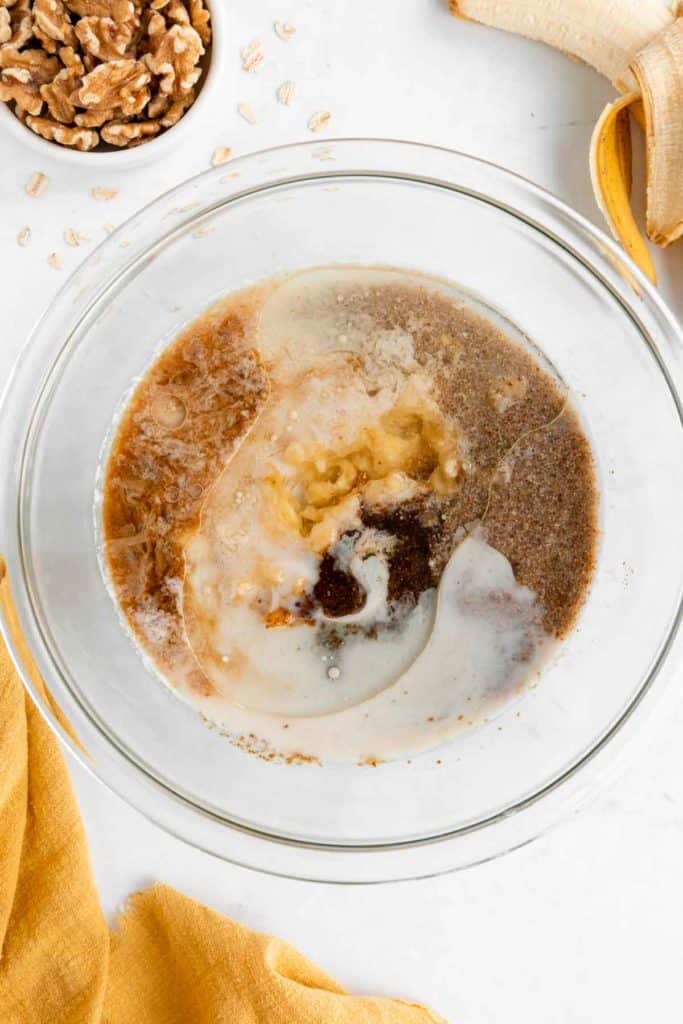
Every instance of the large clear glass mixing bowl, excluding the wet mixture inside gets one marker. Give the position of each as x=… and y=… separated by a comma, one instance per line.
x=528, y=257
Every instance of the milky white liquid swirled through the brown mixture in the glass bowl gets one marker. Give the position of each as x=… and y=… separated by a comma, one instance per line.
x=460, y=654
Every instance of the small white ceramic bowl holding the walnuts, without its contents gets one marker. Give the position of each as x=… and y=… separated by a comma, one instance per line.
x=156, y=148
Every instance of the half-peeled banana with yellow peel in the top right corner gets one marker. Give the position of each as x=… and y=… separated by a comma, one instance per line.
x=638, y=46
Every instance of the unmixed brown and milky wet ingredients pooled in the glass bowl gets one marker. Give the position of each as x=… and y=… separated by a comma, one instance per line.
x=349, y=509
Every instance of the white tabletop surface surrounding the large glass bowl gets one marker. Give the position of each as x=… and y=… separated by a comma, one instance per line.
x=586, y=924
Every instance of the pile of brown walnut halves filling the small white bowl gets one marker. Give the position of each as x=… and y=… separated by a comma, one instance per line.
x=83, y=73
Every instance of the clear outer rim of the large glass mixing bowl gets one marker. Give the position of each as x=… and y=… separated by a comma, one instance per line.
x=599, y=244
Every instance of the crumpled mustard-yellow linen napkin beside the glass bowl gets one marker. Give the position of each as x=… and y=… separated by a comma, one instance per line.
x=168, y=960
